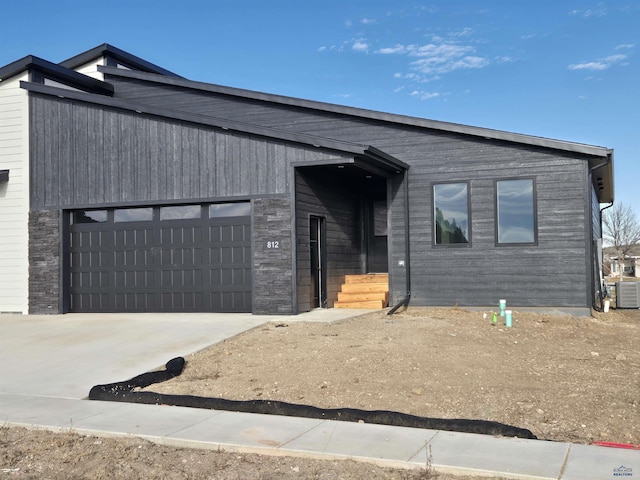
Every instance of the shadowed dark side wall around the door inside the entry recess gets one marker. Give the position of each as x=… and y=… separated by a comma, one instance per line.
x=318, y=193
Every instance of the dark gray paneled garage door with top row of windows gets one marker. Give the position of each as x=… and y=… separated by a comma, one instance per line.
x=184, y=258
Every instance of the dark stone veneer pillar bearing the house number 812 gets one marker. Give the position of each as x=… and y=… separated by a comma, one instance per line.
x=273, y=254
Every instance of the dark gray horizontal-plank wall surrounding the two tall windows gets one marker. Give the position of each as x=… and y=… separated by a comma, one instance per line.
x=555, y=272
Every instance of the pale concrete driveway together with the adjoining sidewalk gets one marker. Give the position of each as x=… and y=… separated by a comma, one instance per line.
x=55, y=360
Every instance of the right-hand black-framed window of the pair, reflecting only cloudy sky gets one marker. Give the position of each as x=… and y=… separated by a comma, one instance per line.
x=516, y=211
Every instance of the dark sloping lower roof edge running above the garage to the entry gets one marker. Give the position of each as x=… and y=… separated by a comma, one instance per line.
x=383, y=160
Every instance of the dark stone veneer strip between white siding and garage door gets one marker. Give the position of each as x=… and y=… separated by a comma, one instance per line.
x=44, y=262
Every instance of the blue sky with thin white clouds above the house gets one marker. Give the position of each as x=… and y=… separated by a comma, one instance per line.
x=568, y=70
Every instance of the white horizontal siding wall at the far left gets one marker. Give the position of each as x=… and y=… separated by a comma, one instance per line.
x=14, y=196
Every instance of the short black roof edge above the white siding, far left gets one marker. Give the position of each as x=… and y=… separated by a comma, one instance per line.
x=55, y=71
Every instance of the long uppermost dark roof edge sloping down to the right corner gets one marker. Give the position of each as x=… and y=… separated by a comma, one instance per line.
x=369, y=114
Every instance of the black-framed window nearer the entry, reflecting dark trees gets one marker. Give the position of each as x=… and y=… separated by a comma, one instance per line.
x=451, y=214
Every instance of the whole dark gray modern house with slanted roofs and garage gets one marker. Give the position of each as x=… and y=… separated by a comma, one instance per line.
x=125, y=187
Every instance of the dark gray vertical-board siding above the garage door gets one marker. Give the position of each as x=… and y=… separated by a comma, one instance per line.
x=84, y=155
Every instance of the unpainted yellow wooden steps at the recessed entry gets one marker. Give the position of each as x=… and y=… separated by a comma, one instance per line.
x=370, y=290
